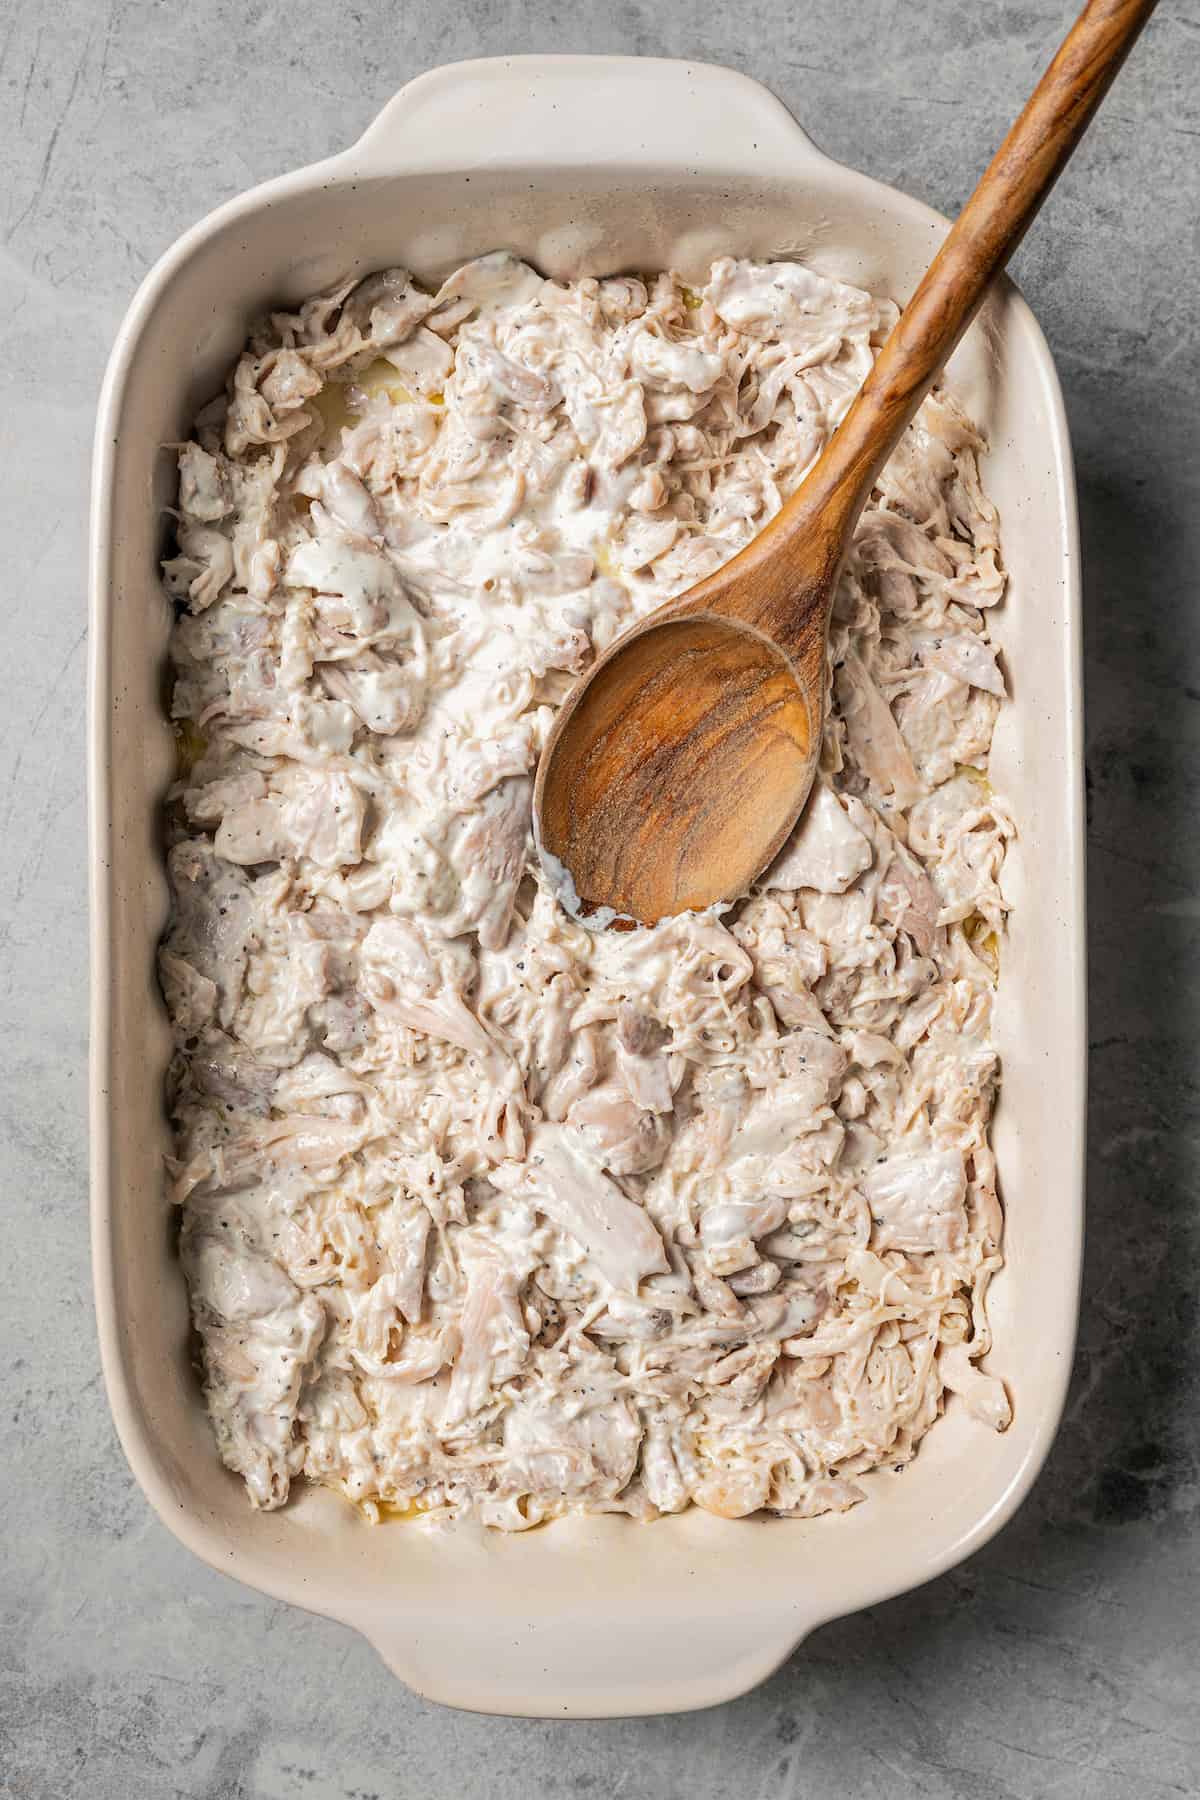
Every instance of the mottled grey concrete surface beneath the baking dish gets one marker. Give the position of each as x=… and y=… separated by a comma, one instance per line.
x=1064, y=1659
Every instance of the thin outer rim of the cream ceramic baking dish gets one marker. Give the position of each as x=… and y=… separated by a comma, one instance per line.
x=377, y=154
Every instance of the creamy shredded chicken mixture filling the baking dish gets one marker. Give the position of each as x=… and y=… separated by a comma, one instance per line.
x=485, y=1212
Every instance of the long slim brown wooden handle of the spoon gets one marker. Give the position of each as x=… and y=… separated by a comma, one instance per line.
x=978, y=247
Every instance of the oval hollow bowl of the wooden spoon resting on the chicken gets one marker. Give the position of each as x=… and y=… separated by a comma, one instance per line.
x=694, y=706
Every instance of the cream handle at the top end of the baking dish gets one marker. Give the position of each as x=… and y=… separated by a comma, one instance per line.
x=593, y=111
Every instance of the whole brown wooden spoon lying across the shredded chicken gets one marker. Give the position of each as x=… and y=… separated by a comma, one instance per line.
x=679, y=766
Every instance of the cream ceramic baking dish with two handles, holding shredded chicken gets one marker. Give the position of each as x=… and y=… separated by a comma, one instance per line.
x=584, y=166
